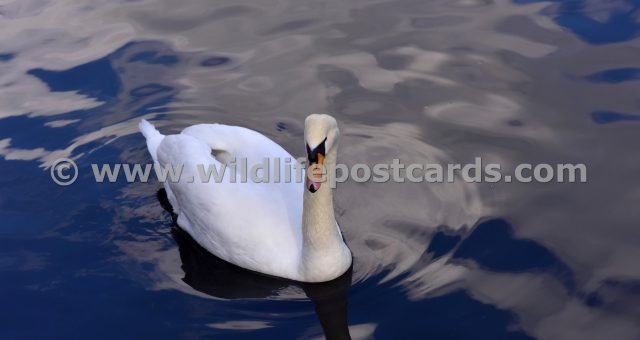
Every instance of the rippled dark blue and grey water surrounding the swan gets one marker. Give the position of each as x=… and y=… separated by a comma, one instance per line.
x=425, y=81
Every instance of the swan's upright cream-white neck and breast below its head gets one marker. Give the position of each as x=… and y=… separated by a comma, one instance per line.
x=323, y=250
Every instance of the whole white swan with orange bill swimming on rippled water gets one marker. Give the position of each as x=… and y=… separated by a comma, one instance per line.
x=276, y=228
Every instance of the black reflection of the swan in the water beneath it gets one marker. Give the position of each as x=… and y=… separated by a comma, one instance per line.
x=213, y=276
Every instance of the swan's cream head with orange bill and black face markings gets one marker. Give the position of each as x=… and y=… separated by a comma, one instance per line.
x=321, y=137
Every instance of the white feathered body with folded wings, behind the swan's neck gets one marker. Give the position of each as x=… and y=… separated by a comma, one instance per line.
x=254, y=225
